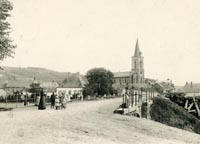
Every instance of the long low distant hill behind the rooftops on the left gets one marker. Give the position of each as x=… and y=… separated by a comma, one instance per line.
x=41, y=74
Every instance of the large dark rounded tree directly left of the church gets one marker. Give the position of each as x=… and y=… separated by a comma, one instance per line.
x=100, y=82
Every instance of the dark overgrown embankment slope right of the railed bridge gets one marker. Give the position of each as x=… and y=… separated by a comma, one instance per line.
x=167, y=112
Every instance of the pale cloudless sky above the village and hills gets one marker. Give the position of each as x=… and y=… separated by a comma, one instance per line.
x=77, y=35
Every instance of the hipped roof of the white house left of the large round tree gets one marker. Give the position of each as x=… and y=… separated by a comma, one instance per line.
x=74, y=81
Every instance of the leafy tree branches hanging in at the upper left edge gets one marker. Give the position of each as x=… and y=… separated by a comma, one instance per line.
x=6, y=46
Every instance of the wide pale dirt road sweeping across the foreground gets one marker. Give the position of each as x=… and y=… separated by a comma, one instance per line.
x=86, y=122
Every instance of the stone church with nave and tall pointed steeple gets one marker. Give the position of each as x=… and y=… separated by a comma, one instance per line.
x=135, y=77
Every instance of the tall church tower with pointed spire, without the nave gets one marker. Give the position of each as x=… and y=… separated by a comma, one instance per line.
x=137, y=66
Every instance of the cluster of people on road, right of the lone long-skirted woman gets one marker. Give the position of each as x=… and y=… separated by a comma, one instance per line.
x=58, y=102
